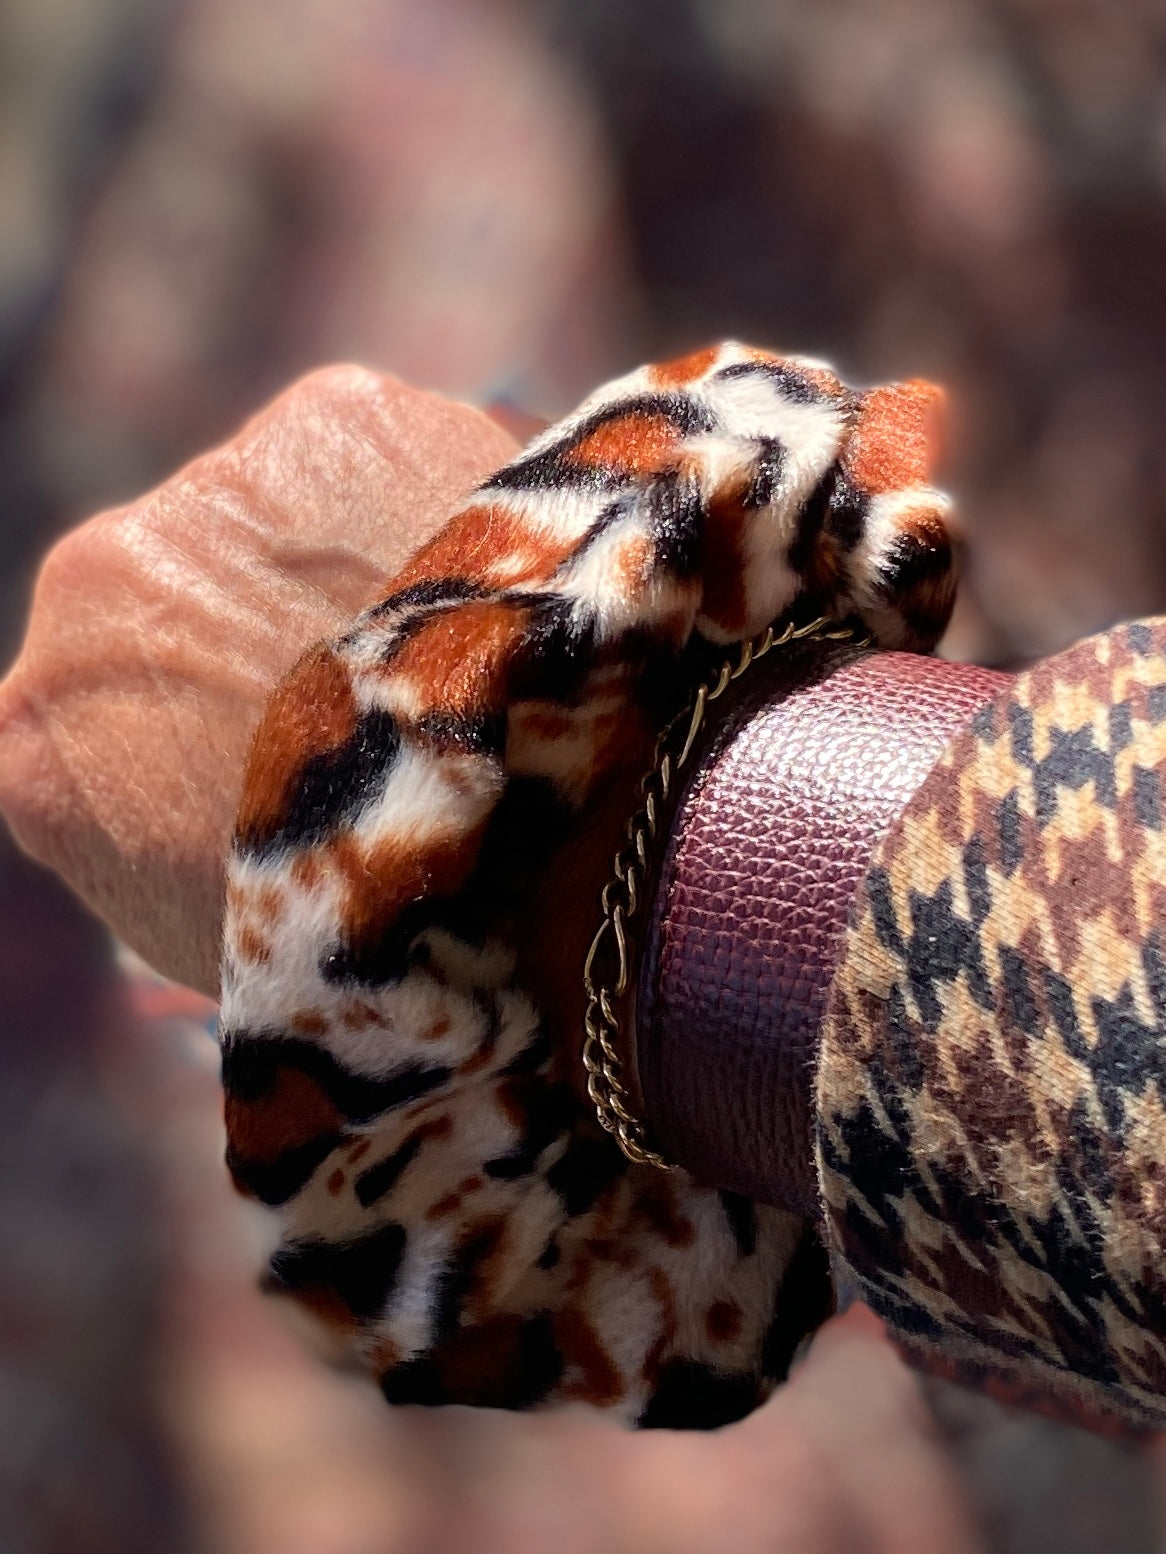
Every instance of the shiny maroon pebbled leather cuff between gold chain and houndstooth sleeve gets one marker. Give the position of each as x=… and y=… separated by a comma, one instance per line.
x=772, y=837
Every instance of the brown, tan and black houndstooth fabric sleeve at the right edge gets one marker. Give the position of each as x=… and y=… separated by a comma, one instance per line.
x=993, y=1085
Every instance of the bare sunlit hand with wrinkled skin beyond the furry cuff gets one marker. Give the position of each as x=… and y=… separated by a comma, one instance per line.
x=158, y=632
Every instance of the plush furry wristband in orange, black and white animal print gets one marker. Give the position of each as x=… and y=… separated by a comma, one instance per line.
x=428, y=815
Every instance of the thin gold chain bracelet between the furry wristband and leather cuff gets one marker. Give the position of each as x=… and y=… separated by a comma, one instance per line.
x=607, y=972
